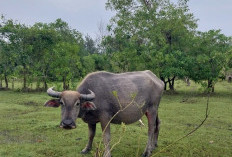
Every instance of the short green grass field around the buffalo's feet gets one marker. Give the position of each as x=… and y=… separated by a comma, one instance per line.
x=27, y=129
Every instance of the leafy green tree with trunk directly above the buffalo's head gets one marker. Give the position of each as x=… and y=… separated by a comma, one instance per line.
x=68, y=50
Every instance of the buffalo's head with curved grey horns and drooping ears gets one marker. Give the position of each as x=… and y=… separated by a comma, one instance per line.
x=71, y=102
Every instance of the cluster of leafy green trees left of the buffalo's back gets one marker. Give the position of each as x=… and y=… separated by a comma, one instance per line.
x=42, y=52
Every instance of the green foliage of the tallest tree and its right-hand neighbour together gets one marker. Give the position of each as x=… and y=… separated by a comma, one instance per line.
x=161, y=36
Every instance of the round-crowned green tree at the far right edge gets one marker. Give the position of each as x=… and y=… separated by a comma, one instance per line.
x=208, y=57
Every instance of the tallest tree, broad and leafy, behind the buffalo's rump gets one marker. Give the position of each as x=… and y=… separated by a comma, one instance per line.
x=157, y=30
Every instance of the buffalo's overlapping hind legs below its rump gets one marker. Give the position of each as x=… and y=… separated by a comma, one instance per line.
x=152, y=131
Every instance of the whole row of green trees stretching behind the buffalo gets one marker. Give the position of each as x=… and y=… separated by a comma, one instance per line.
x=157, y=35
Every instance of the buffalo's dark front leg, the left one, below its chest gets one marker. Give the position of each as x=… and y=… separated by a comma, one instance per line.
x=92, y=131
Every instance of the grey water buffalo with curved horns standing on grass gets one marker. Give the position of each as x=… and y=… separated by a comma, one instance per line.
x=107, y=97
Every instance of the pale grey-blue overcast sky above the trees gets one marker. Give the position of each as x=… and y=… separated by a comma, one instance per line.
x=85, y=15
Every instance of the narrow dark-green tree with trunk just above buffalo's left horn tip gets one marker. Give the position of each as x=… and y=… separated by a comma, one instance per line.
x=43, y=39
